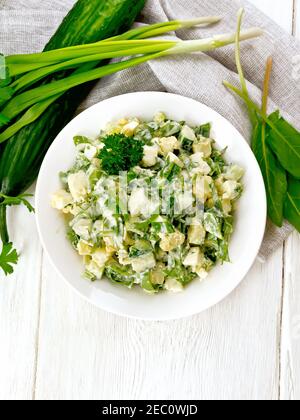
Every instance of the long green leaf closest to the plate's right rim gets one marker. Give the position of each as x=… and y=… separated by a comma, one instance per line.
x=273, y=173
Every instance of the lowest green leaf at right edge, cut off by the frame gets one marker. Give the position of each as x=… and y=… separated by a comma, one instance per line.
x=292, y=203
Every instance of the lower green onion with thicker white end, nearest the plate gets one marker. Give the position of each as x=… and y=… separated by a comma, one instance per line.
x=144, y=50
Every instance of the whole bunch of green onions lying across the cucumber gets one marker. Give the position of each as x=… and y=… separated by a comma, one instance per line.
x=21, y=104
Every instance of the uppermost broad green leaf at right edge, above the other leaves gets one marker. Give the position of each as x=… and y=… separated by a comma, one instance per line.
x=284, y=140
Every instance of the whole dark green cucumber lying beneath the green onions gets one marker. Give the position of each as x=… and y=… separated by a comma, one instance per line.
x=21, y=157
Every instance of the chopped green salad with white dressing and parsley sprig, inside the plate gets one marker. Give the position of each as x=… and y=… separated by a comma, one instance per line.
x=150, y=203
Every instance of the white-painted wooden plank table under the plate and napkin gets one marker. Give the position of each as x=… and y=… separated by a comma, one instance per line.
x=54, y=345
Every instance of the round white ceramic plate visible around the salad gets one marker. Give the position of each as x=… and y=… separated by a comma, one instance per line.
x=197, y=297
